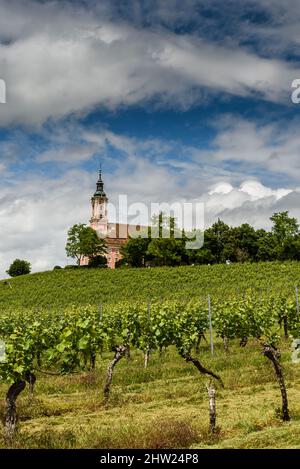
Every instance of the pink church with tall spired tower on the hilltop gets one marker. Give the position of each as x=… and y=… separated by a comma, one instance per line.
x=114, y=234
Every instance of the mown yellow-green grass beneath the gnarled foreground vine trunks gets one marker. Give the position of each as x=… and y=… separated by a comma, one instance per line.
x=164, y=406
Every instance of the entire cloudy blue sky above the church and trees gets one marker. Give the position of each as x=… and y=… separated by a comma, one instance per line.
x=180, y=101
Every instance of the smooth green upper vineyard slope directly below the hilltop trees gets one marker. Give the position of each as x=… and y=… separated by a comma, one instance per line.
x=91, y=286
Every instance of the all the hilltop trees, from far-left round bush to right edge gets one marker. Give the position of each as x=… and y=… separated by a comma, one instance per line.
x=222, y=243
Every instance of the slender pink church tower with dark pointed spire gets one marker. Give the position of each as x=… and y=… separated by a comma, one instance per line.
x=99, y=220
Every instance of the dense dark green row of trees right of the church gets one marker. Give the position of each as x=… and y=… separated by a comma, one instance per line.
x=222, y=243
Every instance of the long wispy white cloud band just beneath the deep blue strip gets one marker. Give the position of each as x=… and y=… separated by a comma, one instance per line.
x=239, y=147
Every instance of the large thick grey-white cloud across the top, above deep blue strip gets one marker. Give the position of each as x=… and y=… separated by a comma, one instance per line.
x=67, y=60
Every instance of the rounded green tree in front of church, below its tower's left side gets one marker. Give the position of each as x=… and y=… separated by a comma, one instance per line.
x=83, y=242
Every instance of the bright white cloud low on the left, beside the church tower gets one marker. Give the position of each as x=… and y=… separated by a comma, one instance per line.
x=35, y=216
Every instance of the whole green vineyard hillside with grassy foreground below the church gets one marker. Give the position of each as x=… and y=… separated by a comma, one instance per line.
x=184, y=357
